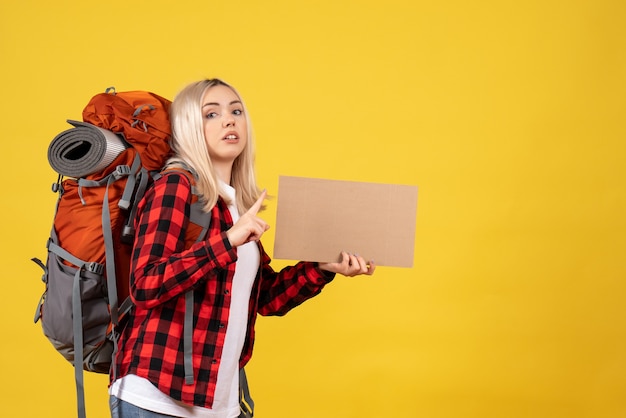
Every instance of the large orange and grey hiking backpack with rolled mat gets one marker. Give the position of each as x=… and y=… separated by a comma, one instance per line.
x=109, y=159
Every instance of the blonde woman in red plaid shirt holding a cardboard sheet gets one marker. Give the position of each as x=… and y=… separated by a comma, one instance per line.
x=225, y=279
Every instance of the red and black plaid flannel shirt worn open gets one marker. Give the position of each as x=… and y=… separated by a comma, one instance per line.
x=151, y=344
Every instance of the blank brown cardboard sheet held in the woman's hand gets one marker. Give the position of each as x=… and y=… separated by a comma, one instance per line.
x=316, y=219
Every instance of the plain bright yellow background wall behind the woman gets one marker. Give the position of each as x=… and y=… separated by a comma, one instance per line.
x=509, y=116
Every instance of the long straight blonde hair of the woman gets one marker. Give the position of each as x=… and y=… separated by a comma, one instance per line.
x=190, y=148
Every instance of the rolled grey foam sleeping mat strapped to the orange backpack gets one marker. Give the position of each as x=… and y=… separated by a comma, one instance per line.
x=84, y=149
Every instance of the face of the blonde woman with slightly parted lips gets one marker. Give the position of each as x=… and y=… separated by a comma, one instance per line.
x=225, y=125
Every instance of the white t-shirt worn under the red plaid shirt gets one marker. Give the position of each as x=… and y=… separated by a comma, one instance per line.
x=142, y=393
